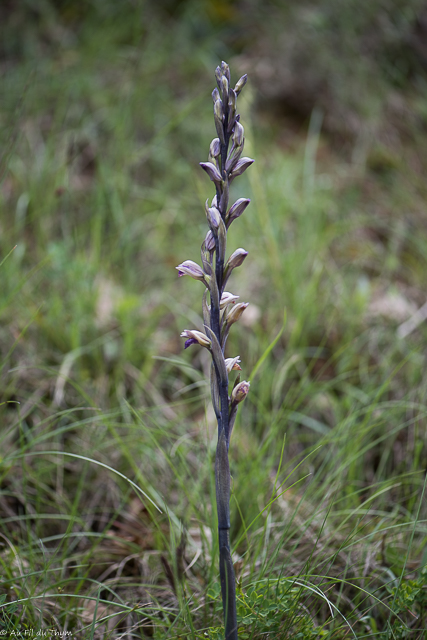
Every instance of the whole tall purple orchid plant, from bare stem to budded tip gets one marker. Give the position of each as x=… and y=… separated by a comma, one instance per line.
x=221, y=309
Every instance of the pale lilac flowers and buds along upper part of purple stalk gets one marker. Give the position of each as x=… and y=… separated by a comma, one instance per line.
x=225, y=162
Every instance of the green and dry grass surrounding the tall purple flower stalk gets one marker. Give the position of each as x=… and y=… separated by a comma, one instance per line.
x=107, y=439
